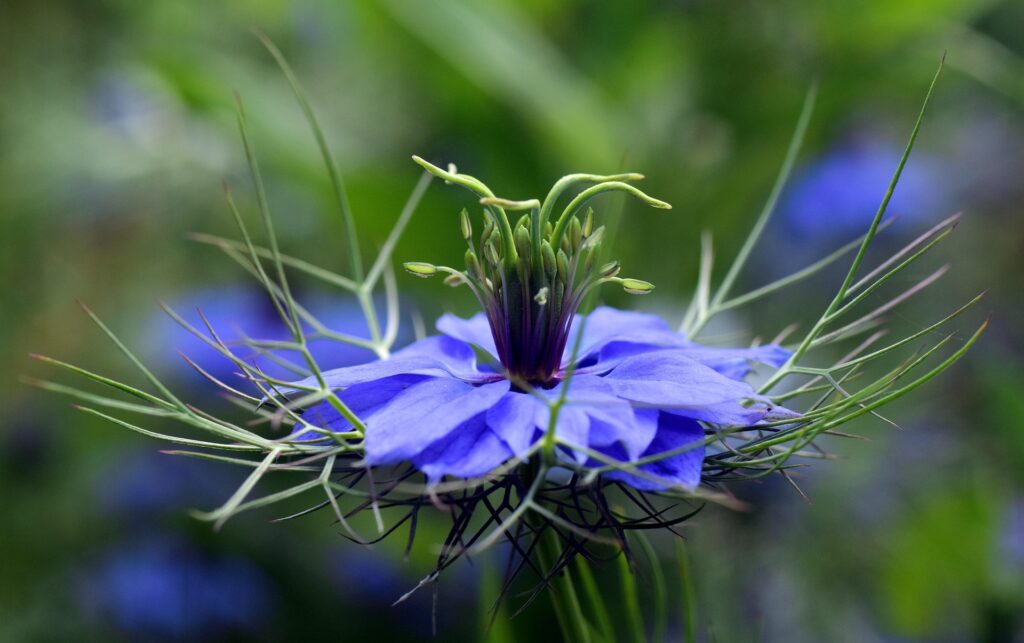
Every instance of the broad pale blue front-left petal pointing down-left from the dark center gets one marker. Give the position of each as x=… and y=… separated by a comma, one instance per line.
x=423, y=414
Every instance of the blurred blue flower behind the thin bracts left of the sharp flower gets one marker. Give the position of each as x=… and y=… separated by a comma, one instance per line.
x=242, y=312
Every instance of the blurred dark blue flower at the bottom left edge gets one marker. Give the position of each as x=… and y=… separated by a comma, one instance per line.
x=163, y=588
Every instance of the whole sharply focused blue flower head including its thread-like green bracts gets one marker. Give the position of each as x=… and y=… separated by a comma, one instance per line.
x=540, y=416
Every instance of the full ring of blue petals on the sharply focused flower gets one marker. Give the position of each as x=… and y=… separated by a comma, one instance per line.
x=637, y=390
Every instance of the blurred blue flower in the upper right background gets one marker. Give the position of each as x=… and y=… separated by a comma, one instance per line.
x=838, y=194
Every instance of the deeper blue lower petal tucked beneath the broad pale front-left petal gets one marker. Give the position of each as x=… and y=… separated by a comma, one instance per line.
x=472, y=450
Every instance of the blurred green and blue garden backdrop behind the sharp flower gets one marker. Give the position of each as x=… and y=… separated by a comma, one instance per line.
x=117, y=128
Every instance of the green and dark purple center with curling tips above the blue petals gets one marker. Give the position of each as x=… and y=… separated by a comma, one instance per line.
x=531, y=278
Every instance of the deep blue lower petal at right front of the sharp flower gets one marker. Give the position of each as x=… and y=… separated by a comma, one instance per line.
x=674, y=434
